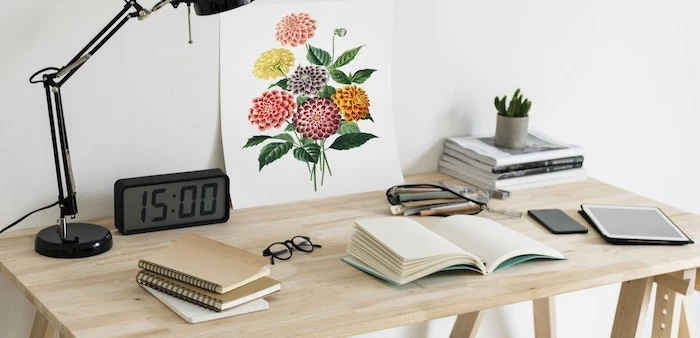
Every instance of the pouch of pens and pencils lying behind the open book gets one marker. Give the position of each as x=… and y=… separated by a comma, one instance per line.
x=429, y=199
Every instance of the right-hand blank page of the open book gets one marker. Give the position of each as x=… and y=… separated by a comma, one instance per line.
x=493, y=242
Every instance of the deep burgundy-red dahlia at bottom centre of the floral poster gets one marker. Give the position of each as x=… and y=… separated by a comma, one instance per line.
x=317, y=118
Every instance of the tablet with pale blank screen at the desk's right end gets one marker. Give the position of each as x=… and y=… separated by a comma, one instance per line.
x=634, y=223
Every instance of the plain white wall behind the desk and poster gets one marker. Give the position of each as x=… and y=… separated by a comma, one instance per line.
x=618, y=77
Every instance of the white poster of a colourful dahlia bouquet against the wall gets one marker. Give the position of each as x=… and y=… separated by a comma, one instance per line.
x=306, y=106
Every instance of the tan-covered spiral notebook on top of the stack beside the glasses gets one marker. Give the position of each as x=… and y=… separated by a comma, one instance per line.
x=206, y=263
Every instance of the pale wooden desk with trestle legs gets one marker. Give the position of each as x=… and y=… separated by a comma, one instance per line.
x=322, y=296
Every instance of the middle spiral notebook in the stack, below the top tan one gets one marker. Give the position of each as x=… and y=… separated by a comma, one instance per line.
x=259, y=288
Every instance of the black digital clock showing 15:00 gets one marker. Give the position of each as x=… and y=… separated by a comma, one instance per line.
x=162, y=202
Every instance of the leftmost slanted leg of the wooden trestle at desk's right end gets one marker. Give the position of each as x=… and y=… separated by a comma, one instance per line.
x=632, y=308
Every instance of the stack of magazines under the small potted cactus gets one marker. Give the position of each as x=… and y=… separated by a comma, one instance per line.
x=544, y=161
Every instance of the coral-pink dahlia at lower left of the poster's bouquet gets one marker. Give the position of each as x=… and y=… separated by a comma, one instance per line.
x=271, y=109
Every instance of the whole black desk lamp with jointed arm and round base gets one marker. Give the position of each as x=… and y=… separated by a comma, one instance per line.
x=75, y=240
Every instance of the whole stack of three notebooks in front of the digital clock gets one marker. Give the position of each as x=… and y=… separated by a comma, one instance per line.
x=202, y=279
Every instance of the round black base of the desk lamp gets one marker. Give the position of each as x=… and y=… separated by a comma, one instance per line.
x=86, y=240
